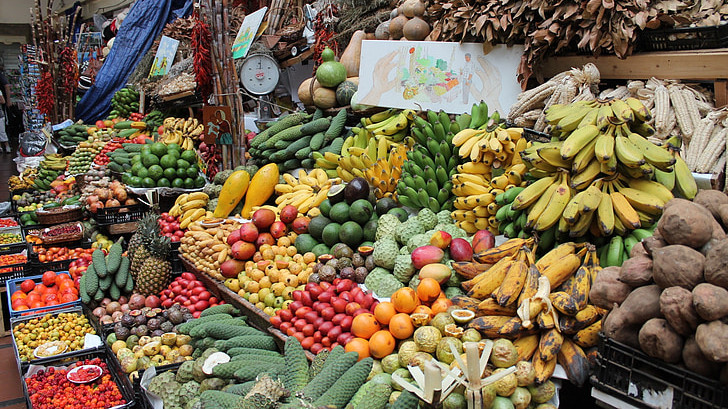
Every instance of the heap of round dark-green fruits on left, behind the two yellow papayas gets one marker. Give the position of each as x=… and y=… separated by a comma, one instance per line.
x=160, y=165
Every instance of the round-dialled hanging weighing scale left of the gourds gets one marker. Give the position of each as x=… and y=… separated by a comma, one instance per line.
x=259, y=75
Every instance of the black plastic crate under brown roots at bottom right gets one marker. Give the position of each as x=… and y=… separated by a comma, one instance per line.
x=629, y=374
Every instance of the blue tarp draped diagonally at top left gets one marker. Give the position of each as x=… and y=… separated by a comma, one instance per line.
x=137, y=33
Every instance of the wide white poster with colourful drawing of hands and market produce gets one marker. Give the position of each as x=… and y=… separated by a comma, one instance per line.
x=438, y=75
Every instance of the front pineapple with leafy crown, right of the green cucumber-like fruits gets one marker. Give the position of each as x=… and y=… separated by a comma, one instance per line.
x=155, y=272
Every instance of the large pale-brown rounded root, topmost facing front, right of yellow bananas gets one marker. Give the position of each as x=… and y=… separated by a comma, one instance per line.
x=687, y=223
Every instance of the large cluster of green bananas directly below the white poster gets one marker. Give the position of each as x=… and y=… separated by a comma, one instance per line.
x=425, y=180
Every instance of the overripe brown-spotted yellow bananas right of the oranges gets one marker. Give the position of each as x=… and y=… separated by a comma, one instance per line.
x=543, y=304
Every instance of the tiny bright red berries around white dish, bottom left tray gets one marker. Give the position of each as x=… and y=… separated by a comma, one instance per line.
x=49, y=388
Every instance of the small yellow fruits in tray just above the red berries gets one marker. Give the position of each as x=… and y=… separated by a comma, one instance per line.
x=67, y=327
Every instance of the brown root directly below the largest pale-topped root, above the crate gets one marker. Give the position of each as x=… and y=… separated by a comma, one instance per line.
x=677, y=265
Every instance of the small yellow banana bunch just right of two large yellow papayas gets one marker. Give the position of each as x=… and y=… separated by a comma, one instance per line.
x=305, y=193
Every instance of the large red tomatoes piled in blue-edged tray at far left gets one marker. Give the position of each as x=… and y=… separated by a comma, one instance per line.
x=53, y=289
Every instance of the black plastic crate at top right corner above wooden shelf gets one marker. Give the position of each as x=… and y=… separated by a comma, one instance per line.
x=685, y=38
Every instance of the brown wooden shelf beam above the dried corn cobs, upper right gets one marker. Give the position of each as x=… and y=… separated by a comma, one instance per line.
x=695, y=65
